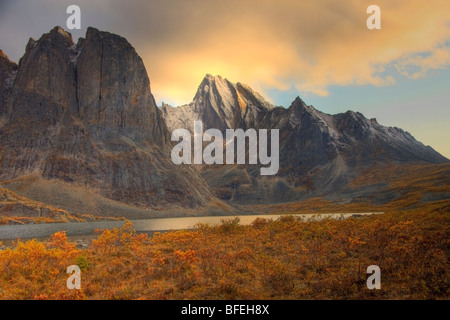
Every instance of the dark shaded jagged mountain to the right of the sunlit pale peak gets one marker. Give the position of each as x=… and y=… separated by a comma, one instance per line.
x=319, y=154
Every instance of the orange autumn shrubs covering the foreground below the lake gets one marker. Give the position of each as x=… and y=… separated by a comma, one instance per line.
x=282, y=259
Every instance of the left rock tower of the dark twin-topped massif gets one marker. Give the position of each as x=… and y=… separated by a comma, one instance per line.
x=43, y=90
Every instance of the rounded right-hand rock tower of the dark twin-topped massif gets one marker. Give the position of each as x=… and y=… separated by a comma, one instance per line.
x=114, y=90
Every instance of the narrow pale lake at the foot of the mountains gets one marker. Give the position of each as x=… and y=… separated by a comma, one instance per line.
x=74, y=229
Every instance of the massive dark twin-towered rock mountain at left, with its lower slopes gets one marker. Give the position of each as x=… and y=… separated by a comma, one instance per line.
x=83, y=115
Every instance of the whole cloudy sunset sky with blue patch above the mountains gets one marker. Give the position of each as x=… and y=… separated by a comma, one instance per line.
x=320, y=50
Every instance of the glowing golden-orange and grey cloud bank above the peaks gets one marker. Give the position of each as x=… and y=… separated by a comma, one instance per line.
x=307, y=45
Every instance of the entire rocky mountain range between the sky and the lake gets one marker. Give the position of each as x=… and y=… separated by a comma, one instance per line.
x=80, y=133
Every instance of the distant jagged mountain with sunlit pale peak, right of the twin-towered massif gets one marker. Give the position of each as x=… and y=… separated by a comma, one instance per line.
x=320, y=154
